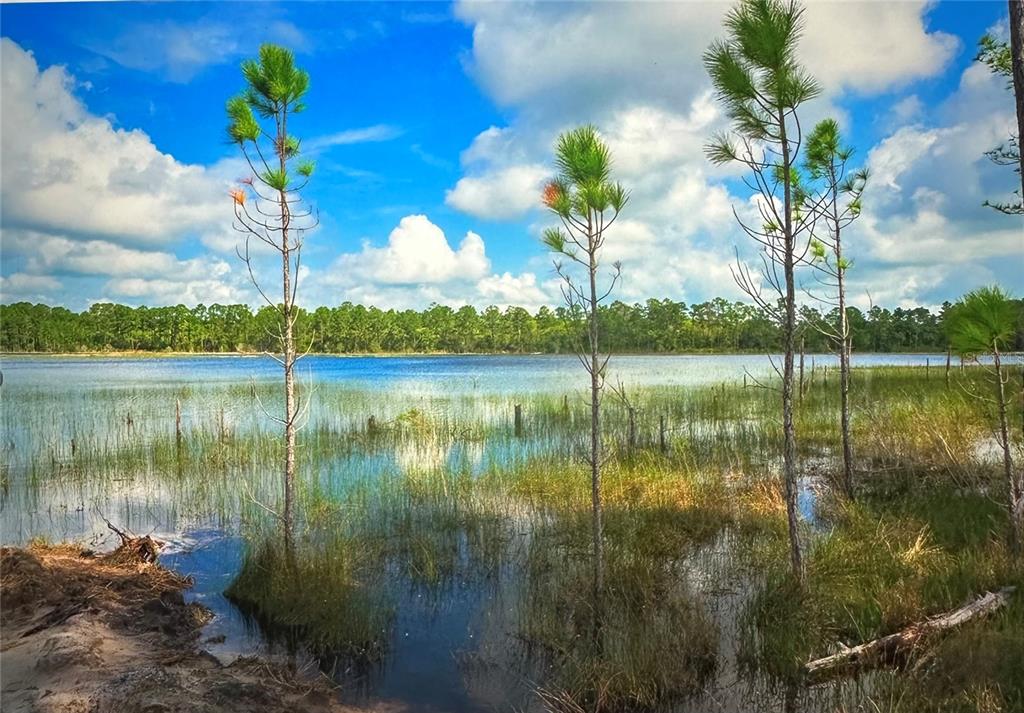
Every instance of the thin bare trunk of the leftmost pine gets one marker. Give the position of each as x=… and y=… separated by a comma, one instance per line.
x=289, y=350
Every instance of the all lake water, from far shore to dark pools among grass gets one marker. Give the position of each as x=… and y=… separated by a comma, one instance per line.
x=451, y=649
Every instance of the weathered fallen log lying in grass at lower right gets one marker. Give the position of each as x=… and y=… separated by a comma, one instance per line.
x=891, y=650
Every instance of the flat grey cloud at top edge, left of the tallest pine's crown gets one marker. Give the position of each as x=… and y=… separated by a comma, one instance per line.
x=542, y=56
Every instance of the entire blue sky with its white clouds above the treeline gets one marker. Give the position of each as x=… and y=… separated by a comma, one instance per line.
x=433, y=127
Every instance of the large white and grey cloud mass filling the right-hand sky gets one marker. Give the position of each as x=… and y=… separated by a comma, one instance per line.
x=649, y=94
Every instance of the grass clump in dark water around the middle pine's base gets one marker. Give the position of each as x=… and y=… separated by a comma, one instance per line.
x=648, y=643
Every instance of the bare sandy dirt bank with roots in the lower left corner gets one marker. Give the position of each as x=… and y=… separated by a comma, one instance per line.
x=88, y=634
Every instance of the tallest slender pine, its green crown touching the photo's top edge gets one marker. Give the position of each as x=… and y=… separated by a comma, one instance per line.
x=761, y=83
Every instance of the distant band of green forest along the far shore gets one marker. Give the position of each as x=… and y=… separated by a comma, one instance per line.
x=655, y=326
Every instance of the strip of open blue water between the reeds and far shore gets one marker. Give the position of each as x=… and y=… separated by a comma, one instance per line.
x=491, y=374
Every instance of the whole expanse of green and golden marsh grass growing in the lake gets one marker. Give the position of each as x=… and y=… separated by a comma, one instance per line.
x=437, y=493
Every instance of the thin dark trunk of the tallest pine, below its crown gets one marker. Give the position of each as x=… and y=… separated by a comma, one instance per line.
x=790, y=334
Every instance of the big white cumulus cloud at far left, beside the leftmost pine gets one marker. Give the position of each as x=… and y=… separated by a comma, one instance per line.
x=90, y=205
